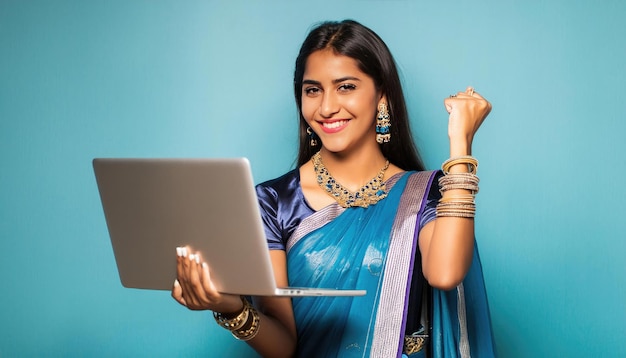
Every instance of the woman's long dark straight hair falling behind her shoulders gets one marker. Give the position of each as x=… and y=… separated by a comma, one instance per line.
x=350, y=38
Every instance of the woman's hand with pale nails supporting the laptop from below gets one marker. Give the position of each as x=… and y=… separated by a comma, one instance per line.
x=194, y=289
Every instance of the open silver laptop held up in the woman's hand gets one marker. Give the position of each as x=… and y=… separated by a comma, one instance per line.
x=153, y=206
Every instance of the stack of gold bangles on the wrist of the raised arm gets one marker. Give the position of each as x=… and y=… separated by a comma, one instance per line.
x=455, y=204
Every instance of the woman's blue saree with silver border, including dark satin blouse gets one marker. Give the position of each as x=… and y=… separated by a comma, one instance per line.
x=375, y=249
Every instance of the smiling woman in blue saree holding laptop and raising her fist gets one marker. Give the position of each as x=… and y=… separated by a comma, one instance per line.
x=361, y=212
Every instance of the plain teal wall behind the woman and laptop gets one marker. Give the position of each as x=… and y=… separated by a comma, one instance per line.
x=85, y=79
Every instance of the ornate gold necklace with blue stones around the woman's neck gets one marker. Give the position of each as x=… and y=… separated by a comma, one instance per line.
x=368, y=194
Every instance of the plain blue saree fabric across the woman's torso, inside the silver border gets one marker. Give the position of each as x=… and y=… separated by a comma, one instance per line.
x=354, y=247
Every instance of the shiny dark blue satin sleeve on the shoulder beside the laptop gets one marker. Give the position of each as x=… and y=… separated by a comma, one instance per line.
x=282, y=207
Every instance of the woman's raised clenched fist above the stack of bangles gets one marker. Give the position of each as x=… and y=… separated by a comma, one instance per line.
x=467, y=112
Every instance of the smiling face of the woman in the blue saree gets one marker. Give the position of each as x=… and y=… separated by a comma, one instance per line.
x=339, y=102
